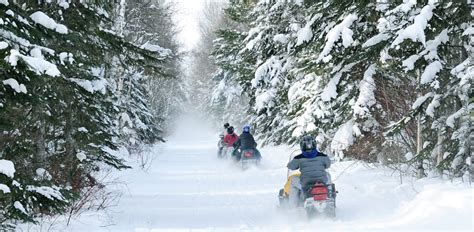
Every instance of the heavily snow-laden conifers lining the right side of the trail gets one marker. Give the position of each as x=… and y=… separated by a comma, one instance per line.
x=358, y=75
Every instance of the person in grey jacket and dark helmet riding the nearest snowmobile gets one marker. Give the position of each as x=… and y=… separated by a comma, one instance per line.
x=312, y=165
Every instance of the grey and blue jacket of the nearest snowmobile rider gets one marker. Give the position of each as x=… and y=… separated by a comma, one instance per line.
x=312, y=166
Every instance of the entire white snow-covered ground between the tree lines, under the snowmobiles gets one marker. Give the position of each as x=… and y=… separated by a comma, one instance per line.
x=188, y=188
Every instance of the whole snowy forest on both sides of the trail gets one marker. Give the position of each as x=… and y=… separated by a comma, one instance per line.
x=87, y=85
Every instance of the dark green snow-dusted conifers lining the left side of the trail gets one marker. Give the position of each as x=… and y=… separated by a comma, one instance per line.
x=69, y=85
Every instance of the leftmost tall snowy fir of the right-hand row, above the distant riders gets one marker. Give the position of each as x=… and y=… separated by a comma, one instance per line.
x=229, y=96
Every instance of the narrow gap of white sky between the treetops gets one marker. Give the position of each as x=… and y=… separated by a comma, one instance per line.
x=187, y=20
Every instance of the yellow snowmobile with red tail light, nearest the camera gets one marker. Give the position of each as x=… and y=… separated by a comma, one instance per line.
x=319, y=200
